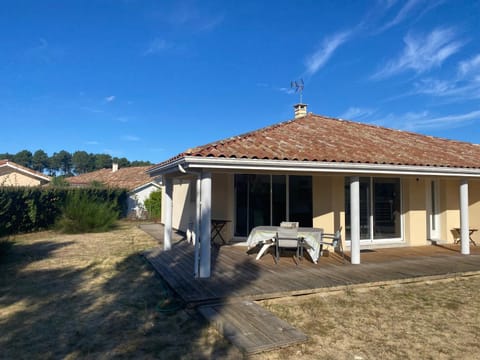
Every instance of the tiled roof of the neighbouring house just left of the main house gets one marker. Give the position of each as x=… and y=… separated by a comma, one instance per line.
x=126, y=178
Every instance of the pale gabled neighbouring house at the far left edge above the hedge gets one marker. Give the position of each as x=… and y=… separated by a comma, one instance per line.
x=12, y=174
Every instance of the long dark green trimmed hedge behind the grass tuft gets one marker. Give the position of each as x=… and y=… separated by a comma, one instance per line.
x=32, y=209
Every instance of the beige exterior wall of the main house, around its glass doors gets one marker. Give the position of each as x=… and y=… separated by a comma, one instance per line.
x=329, y=202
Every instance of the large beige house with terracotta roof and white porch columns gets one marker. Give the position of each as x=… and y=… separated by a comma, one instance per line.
x=384, y=187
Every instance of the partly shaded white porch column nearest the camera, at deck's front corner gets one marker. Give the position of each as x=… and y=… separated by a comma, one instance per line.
x=205, y=224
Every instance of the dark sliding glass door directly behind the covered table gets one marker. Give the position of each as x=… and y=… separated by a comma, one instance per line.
x=271, y=199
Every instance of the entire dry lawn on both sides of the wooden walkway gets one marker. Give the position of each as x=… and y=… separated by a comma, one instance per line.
x=93, y=296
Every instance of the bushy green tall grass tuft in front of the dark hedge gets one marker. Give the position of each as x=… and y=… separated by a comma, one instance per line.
x=82, y=214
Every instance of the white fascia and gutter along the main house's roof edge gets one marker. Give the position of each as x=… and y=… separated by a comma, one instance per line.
x=194, y=162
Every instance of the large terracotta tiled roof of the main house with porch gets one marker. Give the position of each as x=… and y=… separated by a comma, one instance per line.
x=325, y=139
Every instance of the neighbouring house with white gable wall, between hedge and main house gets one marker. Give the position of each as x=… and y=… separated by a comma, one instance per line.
x=134, y=179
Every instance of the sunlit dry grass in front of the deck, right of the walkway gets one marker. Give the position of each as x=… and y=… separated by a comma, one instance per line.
x=437, y=320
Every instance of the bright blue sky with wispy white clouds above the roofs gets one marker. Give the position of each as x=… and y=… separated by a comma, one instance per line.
x=149, y=79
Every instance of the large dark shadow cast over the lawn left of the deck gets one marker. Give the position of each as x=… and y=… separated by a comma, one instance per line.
x=97, y=310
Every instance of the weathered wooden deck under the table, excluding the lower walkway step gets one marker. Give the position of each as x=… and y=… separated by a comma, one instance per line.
x=238, y=276
